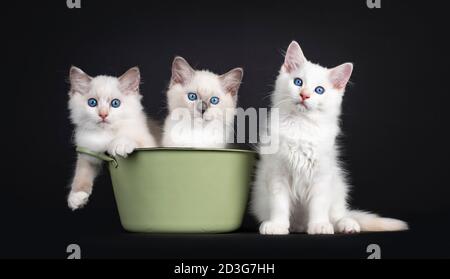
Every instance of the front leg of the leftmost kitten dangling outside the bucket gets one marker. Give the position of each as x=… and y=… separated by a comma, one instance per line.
x=85, y=172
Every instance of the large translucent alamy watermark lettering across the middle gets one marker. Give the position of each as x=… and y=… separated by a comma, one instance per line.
x=253, y=126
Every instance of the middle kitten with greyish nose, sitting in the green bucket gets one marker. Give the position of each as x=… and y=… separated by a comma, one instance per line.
x=201, y=107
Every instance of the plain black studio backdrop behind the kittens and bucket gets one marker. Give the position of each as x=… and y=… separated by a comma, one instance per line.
x=394, y=116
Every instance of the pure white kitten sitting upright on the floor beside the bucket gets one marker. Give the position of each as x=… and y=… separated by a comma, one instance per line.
x=302, y=187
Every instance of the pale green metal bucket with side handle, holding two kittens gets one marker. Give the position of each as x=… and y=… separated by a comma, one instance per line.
x=174, y=190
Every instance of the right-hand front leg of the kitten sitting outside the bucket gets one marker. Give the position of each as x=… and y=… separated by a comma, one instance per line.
x=318, y=209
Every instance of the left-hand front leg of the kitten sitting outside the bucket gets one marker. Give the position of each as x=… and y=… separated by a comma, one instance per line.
x=279, y=203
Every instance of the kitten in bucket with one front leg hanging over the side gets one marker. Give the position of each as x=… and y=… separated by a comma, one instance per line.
x=108, y=116
